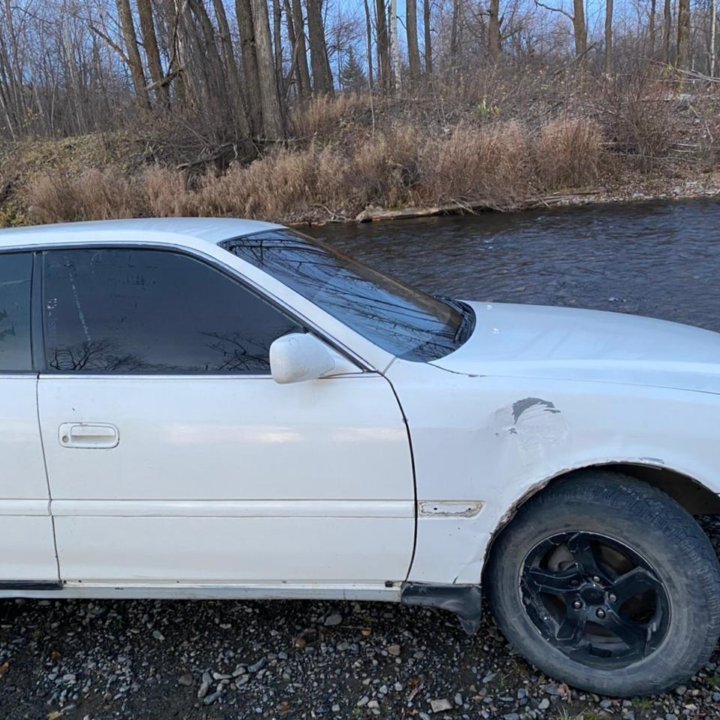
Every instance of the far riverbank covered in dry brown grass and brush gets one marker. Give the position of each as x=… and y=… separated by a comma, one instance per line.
x=356, y=158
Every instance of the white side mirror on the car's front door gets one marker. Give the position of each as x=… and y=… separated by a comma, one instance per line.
x=298, y=357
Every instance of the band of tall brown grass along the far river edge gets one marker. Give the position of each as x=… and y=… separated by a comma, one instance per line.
x=501, y=165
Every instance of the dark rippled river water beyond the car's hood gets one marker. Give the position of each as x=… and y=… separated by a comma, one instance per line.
x=656, y=259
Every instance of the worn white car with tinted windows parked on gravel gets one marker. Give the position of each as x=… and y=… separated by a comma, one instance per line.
x=205, y=408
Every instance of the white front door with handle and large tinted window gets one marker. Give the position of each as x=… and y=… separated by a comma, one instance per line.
x=173, y=456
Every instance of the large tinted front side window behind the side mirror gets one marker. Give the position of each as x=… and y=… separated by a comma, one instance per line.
x=152, y=311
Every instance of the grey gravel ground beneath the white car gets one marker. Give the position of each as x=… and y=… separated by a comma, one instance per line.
x=149, y=659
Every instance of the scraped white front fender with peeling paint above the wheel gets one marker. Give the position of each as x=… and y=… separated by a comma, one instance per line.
x=494, y=441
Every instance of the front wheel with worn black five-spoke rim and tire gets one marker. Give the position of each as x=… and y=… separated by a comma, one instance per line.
x=644, y=644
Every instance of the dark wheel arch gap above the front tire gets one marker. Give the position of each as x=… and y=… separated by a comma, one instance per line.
x=689, y=493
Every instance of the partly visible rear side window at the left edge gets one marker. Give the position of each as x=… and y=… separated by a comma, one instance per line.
x=15, y=283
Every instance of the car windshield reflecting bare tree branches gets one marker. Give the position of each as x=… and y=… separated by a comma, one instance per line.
x=404, y=321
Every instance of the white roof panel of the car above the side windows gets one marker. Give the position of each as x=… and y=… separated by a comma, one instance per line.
x=155, y=230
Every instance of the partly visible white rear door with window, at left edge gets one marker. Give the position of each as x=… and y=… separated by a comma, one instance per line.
x=28, y=556
